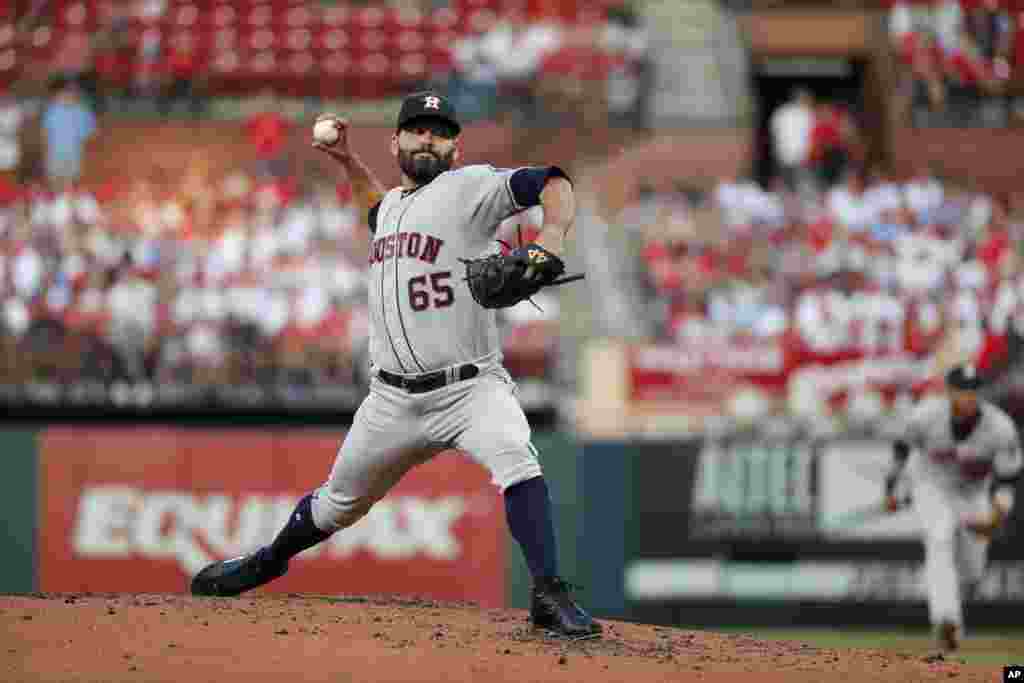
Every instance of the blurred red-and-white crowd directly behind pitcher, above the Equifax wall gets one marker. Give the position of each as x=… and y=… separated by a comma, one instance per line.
x=247, y=280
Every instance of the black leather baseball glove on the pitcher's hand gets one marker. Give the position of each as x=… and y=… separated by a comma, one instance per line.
x=501, y=281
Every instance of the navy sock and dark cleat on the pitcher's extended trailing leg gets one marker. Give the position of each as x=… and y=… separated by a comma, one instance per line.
x=234, y=577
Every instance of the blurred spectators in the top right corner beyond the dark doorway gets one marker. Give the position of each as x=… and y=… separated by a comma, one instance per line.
x=960, y=61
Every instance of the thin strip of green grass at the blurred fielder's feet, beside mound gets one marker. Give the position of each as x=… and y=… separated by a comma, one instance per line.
x=982, y=648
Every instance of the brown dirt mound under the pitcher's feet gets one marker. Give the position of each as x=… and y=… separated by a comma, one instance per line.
x=115, y=638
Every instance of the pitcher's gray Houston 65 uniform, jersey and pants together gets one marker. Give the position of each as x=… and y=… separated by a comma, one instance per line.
x=423, y=319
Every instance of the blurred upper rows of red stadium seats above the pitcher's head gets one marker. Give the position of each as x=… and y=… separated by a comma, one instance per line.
x=530, y=60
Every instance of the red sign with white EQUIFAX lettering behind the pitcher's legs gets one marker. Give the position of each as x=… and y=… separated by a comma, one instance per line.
x=143, y=510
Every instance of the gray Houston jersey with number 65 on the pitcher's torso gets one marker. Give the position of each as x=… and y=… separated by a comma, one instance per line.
x=423, y=317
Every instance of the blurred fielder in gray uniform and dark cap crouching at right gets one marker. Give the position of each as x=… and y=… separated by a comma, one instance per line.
x=962, y=459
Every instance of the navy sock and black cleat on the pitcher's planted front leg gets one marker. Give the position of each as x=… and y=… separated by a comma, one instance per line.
x=528, y=507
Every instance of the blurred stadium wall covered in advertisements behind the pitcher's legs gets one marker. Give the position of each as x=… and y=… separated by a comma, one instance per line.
x=702, y=533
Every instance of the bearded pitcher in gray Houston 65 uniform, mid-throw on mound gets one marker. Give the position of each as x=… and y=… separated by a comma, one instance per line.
x=438, y=379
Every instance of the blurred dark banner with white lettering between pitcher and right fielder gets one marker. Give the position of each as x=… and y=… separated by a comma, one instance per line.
x=751, y=529
